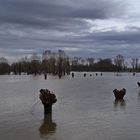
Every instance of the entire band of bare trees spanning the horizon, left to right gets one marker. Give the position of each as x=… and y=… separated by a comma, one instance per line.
x=61, y=65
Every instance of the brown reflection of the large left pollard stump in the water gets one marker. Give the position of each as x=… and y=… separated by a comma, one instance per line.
x=47, y=127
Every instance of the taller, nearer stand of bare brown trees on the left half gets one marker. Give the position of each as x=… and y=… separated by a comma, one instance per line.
x=56, y=66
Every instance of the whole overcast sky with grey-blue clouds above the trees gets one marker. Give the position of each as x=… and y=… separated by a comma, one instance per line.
x=88, y=28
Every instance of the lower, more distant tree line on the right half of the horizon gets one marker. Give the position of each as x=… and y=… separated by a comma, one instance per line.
x=108, y=65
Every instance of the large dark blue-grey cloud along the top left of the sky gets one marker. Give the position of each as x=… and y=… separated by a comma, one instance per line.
x=49, y=13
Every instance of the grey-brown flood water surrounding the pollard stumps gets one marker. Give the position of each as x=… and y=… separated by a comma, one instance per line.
x=85, y=110
